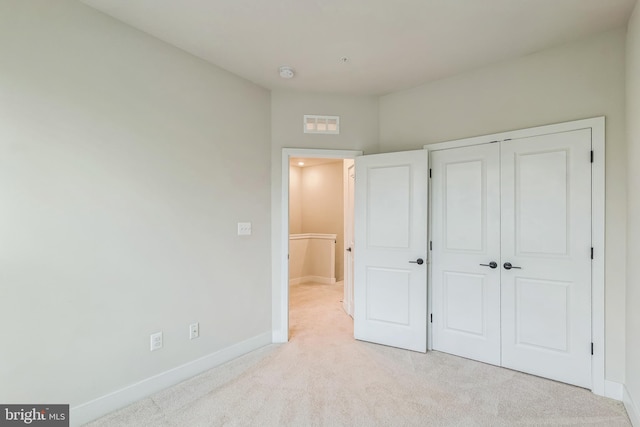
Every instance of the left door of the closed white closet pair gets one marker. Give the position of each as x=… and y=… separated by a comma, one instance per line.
x=466, y=240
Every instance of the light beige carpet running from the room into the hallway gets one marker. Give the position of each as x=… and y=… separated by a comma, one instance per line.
x=323, y=377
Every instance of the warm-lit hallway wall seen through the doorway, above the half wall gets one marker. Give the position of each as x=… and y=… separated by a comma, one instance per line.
x=321, y=203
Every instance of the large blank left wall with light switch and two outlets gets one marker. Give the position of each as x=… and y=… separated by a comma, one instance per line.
x=124, y=166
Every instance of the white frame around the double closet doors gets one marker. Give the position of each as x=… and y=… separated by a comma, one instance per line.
x=597, y=126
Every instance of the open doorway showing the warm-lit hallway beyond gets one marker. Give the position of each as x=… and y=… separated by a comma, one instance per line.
x=316, y=239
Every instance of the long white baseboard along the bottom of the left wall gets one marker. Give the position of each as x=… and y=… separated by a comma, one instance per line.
x=96, y=408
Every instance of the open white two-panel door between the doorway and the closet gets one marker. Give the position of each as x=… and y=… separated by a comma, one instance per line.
x=390, y=287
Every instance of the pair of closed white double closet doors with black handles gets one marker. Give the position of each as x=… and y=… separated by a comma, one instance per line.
x=511, y=256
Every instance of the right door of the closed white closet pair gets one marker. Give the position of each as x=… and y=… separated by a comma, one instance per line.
x=546, y=236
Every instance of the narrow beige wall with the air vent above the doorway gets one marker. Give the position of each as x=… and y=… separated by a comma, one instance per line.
x=358, y=131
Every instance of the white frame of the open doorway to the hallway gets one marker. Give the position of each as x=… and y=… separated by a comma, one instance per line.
x=280, y=301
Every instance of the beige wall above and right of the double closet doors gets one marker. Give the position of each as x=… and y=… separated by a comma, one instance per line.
x=574, y=81
